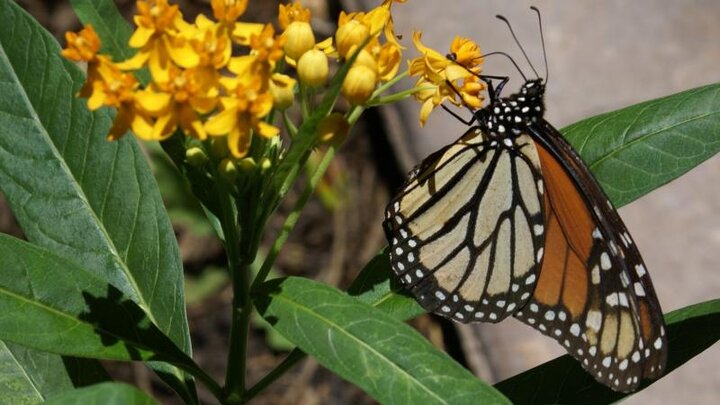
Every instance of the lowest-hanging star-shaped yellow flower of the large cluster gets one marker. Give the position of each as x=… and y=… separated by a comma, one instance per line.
x=240, y=117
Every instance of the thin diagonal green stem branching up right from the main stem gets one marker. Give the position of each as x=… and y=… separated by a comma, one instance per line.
x=293, y=217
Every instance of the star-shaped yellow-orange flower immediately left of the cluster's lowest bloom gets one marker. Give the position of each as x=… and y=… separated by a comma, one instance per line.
x=177, y=102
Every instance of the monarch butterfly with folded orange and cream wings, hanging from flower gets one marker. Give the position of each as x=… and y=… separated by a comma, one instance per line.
x=508, y=220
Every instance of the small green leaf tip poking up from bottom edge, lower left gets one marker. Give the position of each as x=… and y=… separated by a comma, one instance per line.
x=110, y=393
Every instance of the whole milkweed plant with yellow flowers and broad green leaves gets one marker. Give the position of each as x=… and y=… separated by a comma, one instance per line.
x=239, y=107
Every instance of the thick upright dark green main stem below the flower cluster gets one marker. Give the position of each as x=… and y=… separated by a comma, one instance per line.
x=242, y=306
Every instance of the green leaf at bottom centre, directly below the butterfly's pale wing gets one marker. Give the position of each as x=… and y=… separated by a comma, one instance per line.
x=390, y=360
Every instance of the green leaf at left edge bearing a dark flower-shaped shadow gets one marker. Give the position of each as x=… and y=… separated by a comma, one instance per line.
x=51, y=304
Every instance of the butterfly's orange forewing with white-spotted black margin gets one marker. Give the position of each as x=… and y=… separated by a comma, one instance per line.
x=593, y=293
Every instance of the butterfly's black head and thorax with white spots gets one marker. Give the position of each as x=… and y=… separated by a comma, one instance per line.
x=513, y=114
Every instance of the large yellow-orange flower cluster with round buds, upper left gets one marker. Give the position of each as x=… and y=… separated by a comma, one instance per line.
x=202, y=88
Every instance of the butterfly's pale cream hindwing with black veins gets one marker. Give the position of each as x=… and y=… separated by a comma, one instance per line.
x=466, y=230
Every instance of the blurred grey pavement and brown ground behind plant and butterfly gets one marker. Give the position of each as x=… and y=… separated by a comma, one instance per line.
x=602, y=56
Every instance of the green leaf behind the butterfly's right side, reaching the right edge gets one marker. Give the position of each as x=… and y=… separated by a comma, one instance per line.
x=637, y=149
